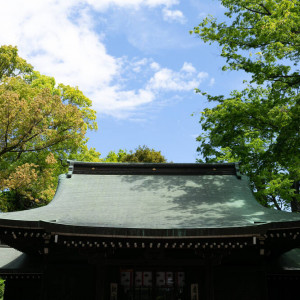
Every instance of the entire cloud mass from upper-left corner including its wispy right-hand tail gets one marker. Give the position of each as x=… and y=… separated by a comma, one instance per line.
x=66, y=47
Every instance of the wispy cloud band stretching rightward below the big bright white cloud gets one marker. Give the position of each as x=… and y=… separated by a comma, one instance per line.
x=122, y=103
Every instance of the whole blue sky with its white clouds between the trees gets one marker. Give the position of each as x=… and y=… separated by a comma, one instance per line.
x=135, y=59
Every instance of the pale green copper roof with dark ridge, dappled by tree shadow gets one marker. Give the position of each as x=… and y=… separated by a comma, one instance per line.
x=152, y=196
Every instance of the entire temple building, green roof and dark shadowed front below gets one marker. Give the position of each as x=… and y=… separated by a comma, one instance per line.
x=151, y=232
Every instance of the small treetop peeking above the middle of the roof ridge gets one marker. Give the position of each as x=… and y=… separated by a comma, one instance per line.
x=141, y=154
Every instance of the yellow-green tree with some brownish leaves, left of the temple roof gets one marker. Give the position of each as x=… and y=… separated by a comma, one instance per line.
x=41, y=124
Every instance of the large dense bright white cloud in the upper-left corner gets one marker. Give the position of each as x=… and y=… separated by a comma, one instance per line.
x=73, y=53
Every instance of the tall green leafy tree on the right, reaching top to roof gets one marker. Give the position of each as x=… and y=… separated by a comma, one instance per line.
x=258, y=126
